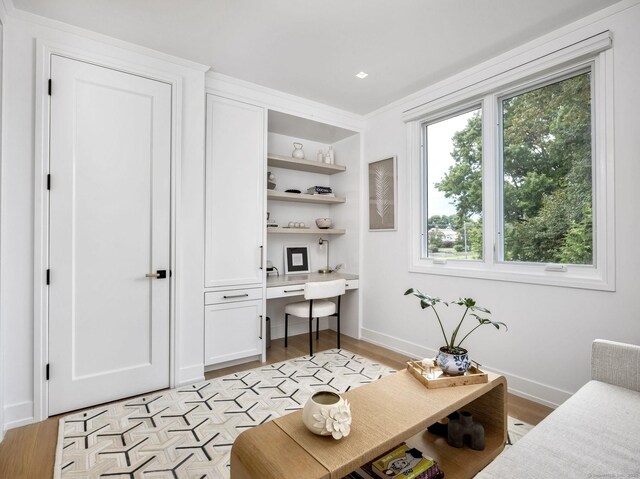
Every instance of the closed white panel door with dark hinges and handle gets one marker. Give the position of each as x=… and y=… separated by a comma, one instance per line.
x=110, y=161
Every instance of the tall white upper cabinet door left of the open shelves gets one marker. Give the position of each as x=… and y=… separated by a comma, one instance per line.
x=234, y=193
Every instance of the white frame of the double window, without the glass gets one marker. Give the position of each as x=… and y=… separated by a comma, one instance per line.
x=593, y=53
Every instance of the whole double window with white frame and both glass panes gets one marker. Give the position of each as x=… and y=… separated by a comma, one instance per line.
x=512, y=175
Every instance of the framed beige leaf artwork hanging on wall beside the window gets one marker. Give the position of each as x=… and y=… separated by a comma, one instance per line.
x=383, y=195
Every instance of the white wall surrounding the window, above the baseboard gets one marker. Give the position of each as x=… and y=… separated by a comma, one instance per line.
x=546, y=352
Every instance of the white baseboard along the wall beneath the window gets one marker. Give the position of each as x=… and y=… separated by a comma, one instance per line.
x=523, y=387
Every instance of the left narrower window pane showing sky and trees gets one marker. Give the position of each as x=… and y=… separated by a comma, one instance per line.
x=453, y=209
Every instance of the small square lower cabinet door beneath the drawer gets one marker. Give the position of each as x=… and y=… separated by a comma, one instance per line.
x=232, y=331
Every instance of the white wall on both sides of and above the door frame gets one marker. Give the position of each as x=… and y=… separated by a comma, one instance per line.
x=17, y=215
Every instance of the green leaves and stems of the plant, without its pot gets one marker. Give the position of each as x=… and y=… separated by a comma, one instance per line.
x=453, y=343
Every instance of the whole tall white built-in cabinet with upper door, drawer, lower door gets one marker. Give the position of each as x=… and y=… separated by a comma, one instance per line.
x=234, y=242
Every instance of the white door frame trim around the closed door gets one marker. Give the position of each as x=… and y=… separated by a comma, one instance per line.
x=44, y=50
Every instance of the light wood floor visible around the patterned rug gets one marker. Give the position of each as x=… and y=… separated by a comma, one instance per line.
x=29, y=452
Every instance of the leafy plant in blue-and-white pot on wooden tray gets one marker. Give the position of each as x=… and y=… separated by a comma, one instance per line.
x=452, y=358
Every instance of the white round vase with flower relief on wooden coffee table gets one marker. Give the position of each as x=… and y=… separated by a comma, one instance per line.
x=327, y=414
